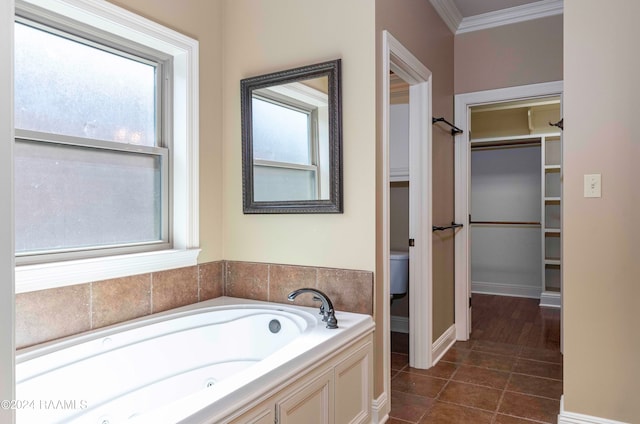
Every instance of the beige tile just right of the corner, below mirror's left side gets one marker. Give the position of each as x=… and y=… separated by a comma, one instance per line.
x=247, y=280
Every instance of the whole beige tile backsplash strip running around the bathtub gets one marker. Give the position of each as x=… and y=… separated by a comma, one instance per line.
x=54, y=313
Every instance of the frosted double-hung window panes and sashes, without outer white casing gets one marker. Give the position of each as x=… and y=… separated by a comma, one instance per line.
x=90, y=156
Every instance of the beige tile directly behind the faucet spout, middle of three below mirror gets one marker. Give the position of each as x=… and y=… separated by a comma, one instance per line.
x=283, y=279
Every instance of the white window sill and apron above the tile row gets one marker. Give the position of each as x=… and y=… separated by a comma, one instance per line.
x=47, y=276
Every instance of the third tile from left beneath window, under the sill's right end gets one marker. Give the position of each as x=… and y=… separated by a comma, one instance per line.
x=174, y=288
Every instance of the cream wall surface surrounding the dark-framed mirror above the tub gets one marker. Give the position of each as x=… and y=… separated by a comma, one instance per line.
x=267, y=36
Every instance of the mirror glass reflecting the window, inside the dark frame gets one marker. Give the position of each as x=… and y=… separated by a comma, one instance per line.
x=290, y=142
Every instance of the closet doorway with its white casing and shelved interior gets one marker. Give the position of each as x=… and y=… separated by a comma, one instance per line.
x=500, y=221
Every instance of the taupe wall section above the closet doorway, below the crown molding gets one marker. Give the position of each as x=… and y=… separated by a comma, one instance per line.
x=511, y=55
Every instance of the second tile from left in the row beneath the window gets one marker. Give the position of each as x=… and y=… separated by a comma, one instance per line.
x=120, y=299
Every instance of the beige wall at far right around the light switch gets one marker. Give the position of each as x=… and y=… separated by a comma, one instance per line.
x=601, y=235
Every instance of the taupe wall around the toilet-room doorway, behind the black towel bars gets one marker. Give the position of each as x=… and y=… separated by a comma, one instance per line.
x=419, y=28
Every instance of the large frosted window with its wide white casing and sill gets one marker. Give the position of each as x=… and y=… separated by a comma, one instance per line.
x=105, y=155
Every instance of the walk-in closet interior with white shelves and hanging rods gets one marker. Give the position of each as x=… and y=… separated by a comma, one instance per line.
x=516, y=195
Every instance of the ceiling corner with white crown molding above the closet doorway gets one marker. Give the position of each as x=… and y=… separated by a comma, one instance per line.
x=472, y=15
